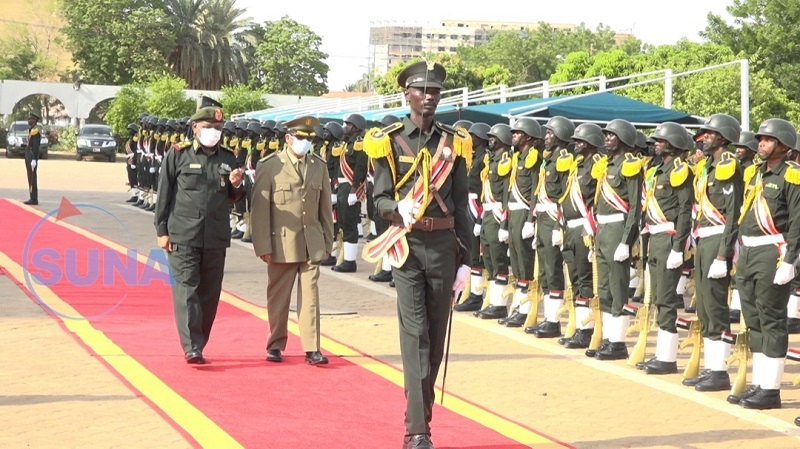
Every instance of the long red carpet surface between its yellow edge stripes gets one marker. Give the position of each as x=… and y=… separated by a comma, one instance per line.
x=288, y=405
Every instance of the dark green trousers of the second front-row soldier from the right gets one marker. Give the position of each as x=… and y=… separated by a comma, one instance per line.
x=711, y=295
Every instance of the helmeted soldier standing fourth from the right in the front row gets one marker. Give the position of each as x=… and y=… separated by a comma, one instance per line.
x=619, y=214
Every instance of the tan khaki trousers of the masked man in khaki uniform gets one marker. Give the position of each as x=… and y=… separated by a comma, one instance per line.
x=281, y=278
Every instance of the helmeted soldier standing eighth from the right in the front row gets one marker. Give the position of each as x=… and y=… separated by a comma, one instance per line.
x=494, y=236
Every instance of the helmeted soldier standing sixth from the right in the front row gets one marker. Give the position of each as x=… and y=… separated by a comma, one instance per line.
x=553, y=173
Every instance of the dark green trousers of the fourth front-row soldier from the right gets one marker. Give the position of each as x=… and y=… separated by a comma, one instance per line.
x=613, y=277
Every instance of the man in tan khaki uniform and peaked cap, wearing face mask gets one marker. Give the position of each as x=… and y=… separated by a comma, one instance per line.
x=292, y=233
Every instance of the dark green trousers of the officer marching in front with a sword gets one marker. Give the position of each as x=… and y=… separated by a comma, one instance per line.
x=424, y=286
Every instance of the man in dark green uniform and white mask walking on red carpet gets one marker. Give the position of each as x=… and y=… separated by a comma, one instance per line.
x=191, y=219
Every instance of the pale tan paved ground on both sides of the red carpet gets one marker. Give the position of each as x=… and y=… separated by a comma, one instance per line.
x=585, y=403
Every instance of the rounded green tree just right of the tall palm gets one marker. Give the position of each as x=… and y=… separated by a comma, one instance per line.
x=289, y=60
